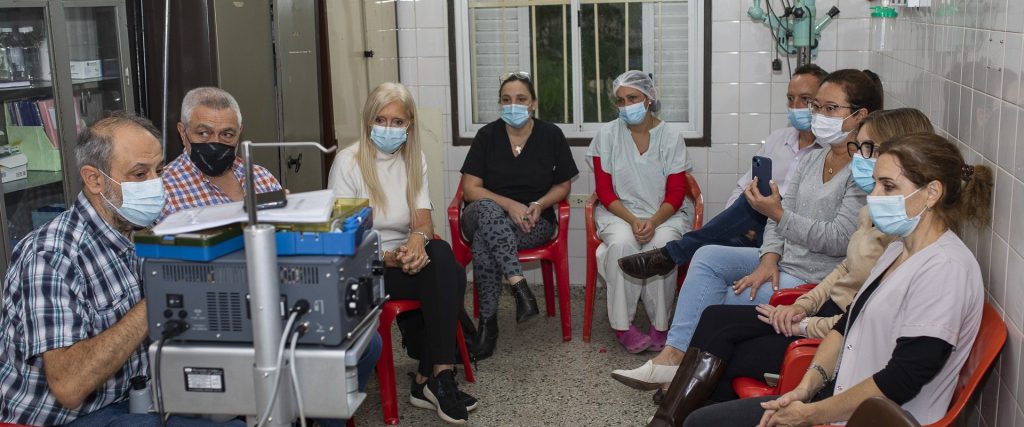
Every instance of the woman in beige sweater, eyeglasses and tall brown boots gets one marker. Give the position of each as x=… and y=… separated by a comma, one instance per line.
x=749, y=341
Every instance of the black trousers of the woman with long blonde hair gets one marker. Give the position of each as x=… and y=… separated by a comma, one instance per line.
x=440, y=288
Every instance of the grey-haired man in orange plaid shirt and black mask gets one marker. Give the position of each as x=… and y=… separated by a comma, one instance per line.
x=209, y=172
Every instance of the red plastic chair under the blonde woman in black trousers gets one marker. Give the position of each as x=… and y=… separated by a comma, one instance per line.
x=386, y=367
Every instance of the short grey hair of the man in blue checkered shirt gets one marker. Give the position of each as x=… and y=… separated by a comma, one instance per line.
x=95, y=146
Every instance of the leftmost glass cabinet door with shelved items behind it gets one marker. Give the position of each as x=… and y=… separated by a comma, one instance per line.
x=30, y=136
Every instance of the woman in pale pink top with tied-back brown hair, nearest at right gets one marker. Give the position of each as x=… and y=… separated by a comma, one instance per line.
x=910, y=330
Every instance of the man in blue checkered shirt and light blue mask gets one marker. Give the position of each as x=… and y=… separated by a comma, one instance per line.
x=73, y=328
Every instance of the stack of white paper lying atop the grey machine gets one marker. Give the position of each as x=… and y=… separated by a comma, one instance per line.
x=303, y=207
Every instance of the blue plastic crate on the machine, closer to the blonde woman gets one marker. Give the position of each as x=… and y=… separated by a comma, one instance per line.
x=344, y=242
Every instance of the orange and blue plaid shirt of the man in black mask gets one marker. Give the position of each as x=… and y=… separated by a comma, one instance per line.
x=188, y=188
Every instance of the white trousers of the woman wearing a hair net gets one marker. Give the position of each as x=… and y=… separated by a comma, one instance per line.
x=624, y=292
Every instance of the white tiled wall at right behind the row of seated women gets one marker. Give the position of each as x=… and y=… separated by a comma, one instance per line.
x=960, y=62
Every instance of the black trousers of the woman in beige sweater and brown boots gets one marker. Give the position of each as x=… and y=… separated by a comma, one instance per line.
x=749, y=347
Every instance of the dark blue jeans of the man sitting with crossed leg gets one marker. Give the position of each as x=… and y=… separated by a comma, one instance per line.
x=728, y=229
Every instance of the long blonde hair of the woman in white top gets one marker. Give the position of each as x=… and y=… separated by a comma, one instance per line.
x=366, y=157
